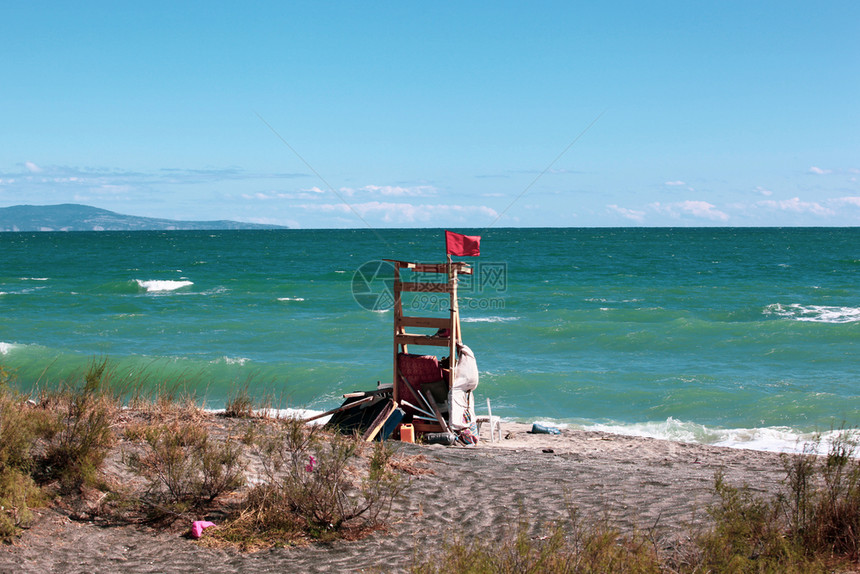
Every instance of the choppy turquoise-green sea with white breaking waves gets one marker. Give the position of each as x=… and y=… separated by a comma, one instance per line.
x=743, y=337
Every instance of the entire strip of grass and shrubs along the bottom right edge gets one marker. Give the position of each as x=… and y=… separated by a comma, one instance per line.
x=811, y=526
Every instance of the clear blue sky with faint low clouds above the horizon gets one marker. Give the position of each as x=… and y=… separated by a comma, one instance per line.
x=444, y=114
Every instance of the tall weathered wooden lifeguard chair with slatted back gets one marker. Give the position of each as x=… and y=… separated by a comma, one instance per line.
x=421, y=382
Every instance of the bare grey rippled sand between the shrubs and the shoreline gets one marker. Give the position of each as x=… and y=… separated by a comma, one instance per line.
x=634, y=483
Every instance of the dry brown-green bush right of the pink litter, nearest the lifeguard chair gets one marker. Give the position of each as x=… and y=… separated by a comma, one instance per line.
x=315, y=485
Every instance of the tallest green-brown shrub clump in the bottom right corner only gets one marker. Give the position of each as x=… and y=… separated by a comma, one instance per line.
x=811, y=524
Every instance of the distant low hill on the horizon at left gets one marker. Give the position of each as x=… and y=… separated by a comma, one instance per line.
x=73, y=217
